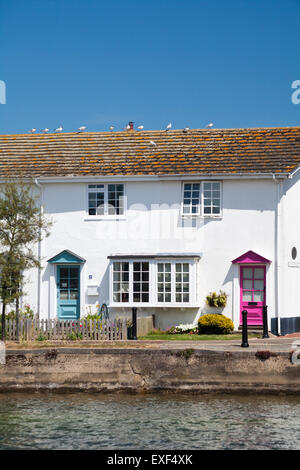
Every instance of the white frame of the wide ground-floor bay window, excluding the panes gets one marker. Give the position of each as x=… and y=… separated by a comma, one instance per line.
x=153, y=284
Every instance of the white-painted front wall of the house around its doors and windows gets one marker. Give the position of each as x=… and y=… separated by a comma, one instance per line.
x=153, y=224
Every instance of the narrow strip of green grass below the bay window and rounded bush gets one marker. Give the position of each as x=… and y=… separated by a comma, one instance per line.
x=186, y=337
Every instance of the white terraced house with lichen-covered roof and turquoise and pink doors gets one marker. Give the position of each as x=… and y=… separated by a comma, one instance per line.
x=158, y=219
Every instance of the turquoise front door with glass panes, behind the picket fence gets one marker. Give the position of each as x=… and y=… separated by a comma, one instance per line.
x=68, y=292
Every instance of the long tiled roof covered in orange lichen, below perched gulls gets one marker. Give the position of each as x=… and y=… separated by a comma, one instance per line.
x=197, y=151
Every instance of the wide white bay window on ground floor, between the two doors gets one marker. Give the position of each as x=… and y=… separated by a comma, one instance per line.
x=153, y=281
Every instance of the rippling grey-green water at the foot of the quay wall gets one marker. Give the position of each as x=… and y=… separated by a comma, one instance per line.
x=95, y=421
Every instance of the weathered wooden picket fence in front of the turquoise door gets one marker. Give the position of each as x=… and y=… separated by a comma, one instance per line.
x=57, y=330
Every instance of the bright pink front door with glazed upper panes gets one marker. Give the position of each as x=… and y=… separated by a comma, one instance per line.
x=253, y=293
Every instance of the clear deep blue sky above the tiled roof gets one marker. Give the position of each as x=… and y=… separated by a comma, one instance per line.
x=191, y=62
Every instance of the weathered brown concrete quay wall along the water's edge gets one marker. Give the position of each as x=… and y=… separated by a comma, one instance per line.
x=148, y=370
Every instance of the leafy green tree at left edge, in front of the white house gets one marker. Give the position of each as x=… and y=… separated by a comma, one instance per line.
x=22, y=226
